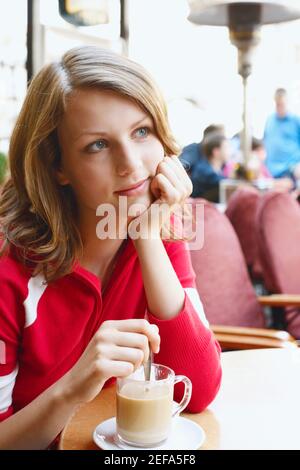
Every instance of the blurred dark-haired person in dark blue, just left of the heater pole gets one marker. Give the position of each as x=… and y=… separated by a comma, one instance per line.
x=207, y=173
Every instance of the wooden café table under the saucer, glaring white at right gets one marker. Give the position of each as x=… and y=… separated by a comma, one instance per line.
x=257, y=407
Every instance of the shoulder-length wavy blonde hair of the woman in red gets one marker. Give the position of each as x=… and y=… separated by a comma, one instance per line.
x=38, y=216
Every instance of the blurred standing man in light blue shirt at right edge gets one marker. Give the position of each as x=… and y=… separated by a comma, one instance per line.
x=282, y=139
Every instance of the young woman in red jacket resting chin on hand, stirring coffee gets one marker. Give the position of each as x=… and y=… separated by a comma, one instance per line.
x=78, y=308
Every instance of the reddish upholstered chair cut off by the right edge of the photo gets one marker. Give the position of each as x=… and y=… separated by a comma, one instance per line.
x=279, y=247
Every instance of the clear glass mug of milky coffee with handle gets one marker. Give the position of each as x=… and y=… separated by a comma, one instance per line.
x=145, y=409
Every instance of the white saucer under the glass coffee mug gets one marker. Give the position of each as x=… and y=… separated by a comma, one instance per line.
x=186, y=435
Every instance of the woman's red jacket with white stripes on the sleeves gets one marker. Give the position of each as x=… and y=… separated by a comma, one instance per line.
x=44, y=329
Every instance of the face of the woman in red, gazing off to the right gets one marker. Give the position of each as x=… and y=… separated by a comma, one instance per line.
x=108, y=144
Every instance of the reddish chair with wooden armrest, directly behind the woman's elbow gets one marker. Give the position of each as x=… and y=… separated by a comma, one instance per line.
x=224, y=286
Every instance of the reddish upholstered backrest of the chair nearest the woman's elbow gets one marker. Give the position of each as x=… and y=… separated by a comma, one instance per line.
x=222, y=280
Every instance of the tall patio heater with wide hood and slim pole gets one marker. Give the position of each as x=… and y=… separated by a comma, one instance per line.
x=244, y=19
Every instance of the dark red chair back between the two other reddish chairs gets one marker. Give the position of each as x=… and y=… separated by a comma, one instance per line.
x=242, y=213
